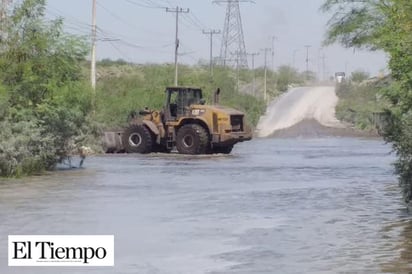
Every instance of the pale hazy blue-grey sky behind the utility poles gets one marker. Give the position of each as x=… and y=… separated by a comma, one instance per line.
x=137, y=31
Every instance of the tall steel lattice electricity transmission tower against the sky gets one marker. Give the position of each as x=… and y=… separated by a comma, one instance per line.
x=233, y=50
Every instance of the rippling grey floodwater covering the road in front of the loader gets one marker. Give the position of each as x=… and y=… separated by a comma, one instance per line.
x=328, y=205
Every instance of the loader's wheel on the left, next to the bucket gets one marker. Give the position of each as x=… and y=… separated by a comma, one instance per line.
x=138, y=139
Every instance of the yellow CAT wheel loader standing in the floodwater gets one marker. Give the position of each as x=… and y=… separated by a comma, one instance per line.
x=185, y=123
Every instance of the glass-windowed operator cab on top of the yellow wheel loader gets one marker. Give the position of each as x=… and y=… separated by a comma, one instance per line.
x=179, y=99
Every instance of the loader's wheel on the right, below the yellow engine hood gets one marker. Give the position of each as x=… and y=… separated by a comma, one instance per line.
x=192, y=139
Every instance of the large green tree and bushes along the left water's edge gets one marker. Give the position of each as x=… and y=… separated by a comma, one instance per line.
x=45, y=100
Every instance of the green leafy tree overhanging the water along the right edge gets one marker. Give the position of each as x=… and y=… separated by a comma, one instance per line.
x=384, y=25
